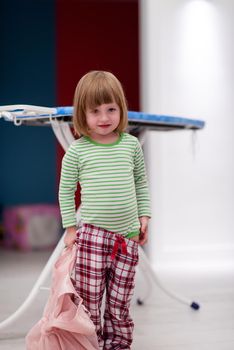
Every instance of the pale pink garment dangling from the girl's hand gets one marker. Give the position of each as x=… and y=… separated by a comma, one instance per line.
x=64, y=324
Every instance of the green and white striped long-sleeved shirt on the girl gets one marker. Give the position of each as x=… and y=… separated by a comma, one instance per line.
x=114, y=190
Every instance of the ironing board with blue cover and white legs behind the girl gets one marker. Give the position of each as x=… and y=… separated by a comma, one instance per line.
x=60, y=118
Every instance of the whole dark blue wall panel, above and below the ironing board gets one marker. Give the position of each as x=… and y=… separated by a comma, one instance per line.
x=27, y=76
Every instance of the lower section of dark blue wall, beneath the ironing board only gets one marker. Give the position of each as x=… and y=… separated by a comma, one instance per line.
x=28, y=165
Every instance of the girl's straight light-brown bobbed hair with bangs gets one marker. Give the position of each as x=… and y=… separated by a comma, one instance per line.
x=94, y=89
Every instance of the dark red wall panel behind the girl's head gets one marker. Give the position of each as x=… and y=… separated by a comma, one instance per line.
x=96, y=35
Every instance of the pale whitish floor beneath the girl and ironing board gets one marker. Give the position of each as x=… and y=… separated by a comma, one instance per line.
x=162, y=323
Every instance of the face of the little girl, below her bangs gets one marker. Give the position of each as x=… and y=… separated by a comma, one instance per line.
x=103, y=120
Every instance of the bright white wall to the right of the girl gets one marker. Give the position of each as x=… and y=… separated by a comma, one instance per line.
x=187, y=69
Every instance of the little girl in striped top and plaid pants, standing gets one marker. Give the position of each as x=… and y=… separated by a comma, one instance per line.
x=115, y=207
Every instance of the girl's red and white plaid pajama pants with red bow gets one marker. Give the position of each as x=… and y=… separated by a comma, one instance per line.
x=106, y=261
